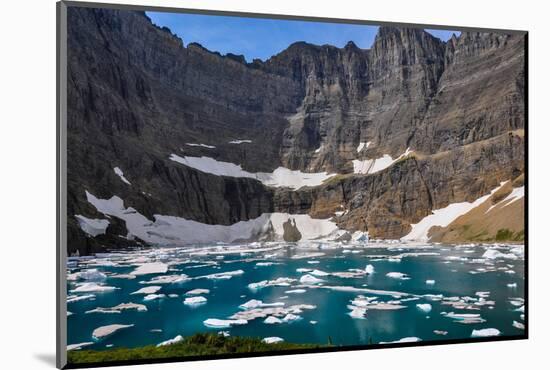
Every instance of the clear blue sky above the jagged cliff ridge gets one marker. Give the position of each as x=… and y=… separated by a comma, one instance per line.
x=262, y=38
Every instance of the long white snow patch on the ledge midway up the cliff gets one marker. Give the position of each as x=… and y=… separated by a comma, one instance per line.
x=281, y=177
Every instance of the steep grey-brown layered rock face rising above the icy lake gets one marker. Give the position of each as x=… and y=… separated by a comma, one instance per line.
x=136, y=95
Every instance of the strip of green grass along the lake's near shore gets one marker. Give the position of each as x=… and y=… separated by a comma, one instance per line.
x=196, y=345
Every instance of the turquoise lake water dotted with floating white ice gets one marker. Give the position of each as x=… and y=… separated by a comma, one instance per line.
x=484, y=282
